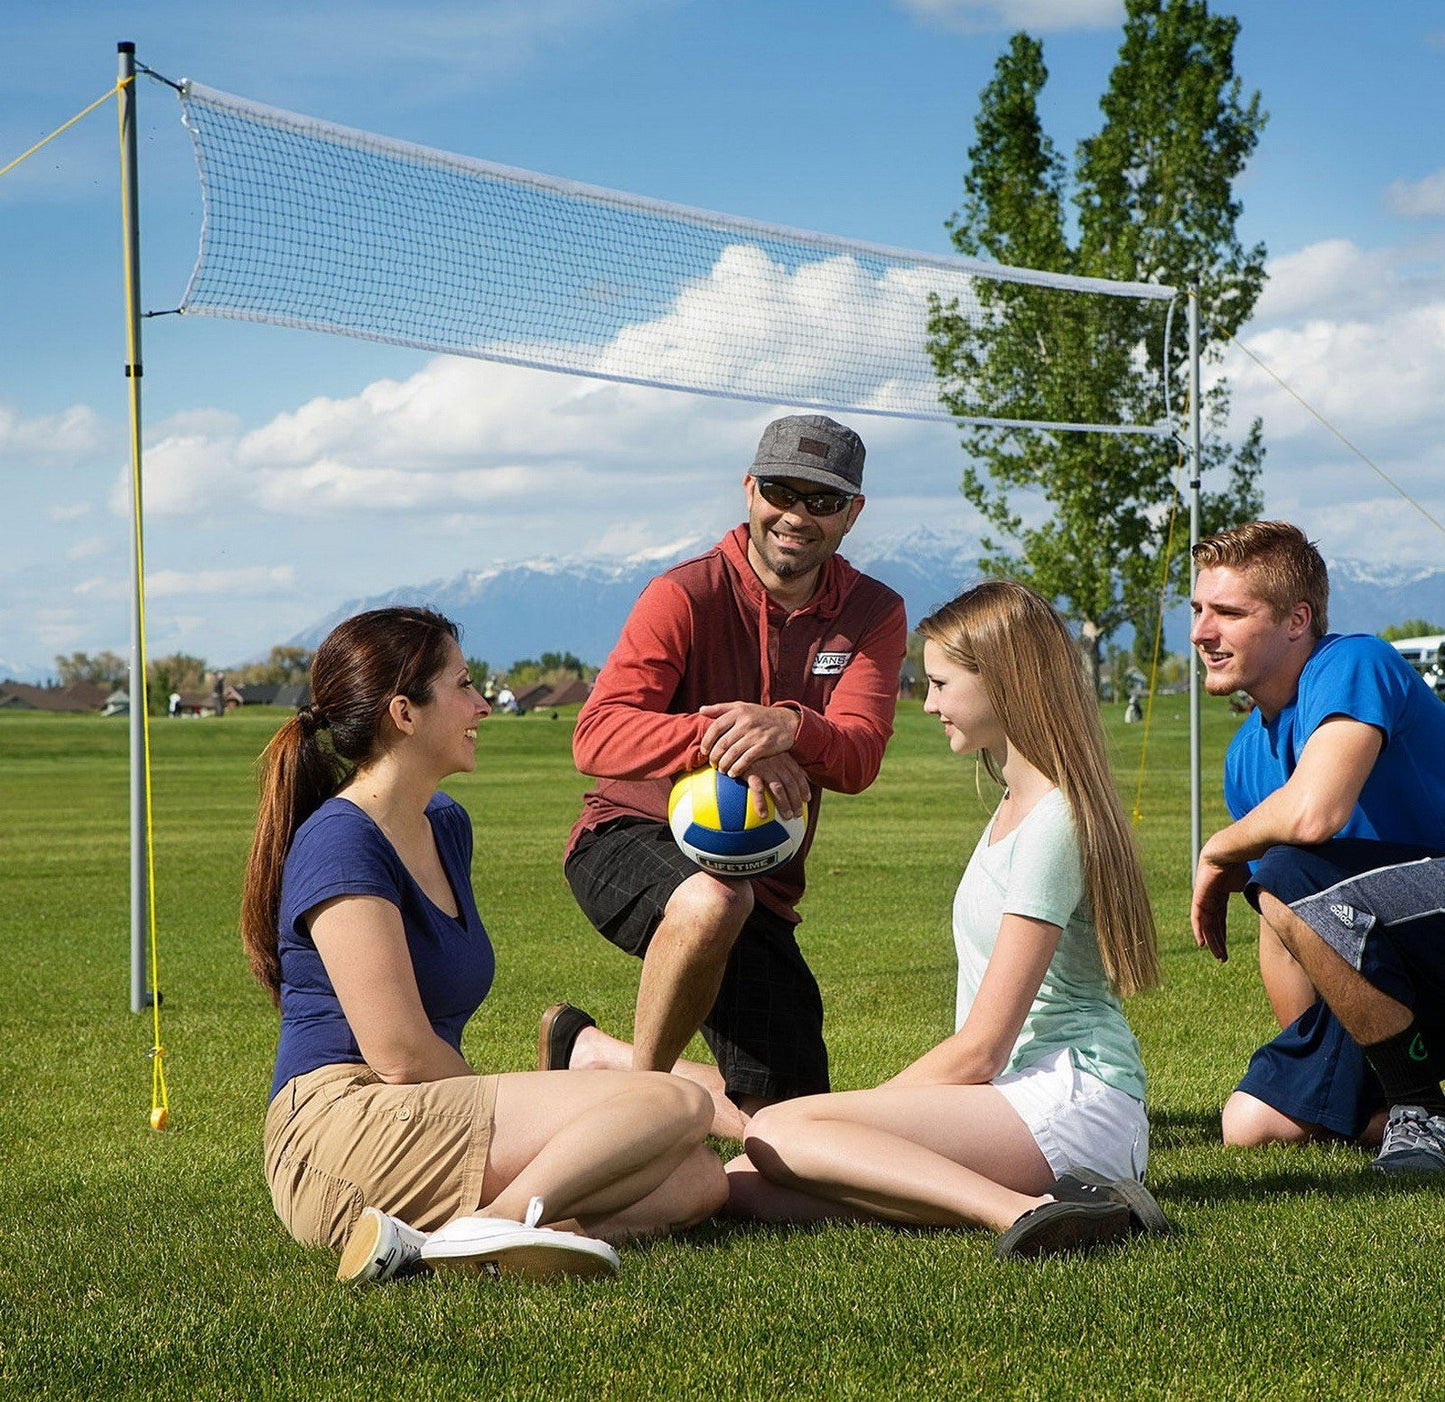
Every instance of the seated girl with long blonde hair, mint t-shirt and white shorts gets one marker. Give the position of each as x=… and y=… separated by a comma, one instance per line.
x=1031, y=1118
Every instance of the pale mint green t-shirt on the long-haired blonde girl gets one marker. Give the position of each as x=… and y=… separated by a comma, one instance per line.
x=1037, y=872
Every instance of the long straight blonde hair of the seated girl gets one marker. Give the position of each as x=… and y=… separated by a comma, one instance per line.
x=1021, y=650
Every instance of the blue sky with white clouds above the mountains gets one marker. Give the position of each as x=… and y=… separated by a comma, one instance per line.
x=288, y=470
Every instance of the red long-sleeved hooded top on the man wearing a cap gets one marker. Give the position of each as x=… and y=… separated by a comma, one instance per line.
x=709, y=632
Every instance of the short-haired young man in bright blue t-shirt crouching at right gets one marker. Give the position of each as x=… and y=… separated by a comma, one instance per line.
x=1337, y=787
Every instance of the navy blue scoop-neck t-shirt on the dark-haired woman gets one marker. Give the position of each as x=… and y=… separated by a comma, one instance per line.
x=340, y=852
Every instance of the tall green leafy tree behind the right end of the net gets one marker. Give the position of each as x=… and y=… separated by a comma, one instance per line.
x=1086, y=518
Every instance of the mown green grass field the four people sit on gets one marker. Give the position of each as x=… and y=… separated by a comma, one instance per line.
x=150, y=1265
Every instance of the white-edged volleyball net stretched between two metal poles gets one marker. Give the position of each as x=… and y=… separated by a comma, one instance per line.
x=319, y=226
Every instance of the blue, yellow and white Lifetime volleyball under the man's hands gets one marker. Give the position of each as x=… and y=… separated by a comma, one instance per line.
x=719, y=826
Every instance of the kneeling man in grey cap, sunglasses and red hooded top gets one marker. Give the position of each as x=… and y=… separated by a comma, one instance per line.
x=778, y=663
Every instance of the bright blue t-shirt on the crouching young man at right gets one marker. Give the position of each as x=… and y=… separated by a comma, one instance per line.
x=1365, y=680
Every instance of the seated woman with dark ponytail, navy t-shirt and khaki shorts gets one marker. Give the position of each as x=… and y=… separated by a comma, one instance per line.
x=361, y=921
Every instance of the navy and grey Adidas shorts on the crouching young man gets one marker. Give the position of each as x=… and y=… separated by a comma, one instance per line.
x=1382, y=908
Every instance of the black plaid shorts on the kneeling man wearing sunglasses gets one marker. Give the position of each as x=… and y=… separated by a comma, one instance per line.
x=767, y=1027
